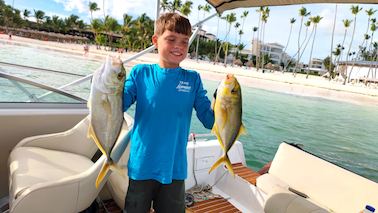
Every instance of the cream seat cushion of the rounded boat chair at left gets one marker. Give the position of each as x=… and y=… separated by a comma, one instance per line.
x=33, y=165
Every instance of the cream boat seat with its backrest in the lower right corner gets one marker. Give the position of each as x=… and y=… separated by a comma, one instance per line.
x=315, y=181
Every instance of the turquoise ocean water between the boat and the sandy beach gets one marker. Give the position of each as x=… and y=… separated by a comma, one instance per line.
x=343, y=133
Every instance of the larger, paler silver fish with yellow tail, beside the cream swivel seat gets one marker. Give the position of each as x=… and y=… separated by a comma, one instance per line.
x=105, y=105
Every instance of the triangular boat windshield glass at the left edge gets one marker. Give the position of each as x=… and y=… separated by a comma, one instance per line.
x=18, y=90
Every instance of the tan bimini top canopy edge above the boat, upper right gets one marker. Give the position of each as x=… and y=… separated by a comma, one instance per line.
x=223, y=5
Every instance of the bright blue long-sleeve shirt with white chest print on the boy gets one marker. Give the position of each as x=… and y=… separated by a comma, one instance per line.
x=165, y=98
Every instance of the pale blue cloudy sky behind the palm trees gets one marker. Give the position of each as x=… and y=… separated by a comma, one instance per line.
x=276, y=31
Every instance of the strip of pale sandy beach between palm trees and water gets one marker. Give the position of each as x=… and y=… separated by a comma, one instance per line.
x=314, y=86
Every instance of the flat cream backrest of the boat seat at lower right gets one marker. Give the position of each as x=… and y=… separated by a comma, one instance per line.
x=332, y=186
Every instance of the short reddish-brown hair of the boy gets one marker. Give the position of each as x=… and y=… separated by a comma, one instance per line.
x=173, y=22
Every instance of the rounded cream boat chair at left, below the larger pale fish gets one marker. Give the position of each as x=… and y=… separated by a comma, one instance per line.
x=54, y=172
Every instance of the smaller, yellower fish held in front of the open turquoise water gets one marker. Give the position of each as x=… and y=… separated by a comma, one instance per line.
x=228, y=117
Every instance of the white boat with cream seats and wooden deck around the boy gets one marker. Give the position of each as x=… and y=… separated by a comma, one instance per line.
x=48, y=164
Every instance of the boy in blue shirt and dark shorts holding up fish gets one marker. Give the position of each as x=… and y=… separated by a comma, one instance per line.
x=165, y=95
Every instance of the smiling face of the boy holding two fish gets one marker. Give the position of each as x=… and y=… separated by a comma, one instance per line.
x=172, y=48
